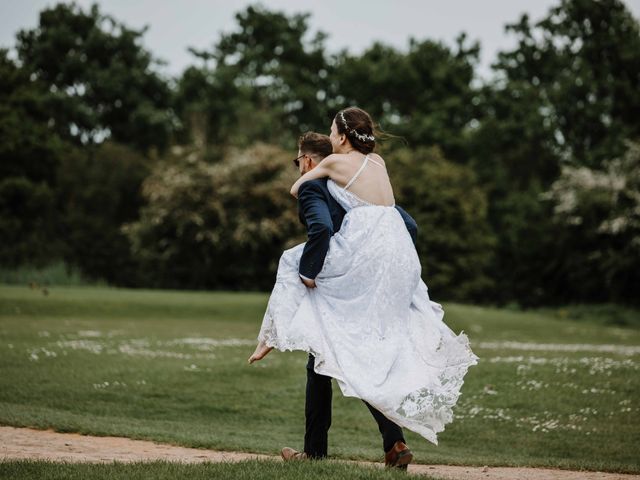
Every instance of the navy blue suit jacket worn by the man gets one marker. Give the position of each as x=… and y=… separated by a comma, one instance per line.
x=322, y=215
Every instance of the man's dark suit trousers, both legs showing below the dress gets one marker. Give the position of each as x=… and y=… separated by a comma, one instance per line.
x=318, y=416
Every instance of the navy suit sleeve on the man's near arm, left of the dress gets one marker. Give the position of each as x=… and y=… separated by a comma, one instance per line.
x=314, y=210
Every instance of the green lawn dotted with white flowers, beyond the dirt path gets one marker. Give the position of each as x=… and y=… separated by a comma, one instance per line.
x=550, y=390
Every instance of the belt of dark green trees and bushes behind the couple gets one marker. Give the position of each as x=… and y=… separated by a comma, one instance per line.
x=525, y=187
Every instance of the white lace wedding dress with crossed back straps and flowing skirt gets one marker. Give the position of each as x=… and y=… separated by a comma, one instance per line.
x=370, y=322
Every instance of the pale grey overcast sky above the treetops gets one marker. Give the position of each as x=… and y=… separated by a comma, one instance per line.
x=352, y=24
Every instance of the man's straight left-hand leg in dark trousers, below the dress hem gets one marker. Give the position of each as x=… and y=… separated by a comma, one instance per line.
x=317, y=412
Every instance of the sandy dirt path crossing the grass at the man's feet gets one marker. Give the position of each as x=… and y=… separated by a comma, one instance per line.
x=27, y=443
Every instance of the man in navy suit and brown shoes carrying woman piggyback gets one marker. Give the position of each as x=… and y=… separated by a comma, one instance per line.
x=322, y=216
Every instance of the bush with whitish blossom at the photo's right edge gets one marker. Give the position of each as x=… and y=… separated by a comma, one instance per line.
x=600, y=213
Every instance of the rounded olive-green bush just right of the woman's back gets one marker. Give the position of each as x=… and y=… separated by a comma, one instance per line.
x=455, y=241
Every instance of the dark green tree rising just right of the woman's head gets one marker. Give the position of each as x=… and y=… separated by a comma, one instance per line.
x=424, y=95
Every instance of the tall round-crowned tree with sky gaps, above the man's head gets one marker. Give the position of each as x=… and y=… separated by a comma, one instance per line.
x=263, y=82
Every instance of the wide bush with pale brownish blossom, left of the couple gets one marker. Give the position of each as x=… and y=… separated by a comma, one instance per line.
x=222, y=224
